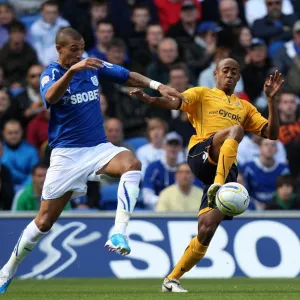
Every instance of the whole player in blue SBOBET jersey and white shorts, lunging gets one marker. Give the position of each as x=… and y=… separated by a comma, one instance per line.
x=81, y=151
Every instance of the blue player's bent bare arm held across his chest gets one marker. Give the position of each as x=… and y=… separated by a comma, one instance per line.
x=57, y=90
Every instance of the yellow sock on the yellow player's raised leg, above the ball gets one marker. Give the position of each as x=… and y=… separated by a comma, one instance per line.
x=227, y=157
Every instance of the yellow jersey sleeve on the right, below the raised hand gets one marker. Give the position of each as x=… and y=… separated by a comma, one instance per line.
x=254, y=122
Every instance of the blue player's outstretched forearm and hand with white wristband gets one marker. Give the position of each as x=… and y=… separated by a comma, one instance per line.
x=138, y=80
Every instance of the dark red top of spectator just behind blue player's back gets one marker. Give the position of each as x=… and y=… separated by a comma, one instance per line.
x=37, y=130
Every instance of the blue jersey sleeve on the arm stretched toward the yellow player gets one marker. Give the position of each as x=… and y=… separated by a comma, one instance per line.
x=114, y=73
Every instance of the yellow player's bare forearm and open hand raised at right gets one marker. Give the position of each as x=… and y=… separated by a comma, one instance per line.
x=271, y=87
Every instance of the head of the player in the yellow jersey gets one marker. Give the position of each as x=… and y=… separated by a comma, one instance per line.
x=227, y=75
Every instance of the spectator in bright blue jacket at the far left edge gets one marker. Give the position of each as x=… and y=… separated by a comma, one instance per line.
x=18, y=155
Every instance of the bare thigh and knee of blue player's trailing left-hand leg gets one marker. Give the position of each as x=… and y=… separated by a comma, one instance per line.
x=50, y=210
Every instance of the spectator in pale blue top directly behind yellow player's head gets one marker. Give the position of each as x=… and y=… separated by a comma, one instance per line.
x=207, y=78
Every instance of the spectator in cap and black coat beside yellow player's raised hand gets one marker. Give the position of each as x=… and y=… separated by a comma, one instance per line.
x=258, y=67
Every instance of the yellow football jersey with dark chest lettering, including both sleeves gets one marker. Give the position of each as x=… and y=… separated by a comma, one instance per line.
x=211, y=110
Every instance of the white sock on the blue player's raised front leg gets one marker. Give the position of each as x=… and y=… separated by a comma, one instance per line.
x=128, y=193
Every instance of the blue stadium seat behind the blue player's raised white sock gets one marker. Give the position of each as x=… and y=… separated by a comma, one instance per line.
x=109, y=198
